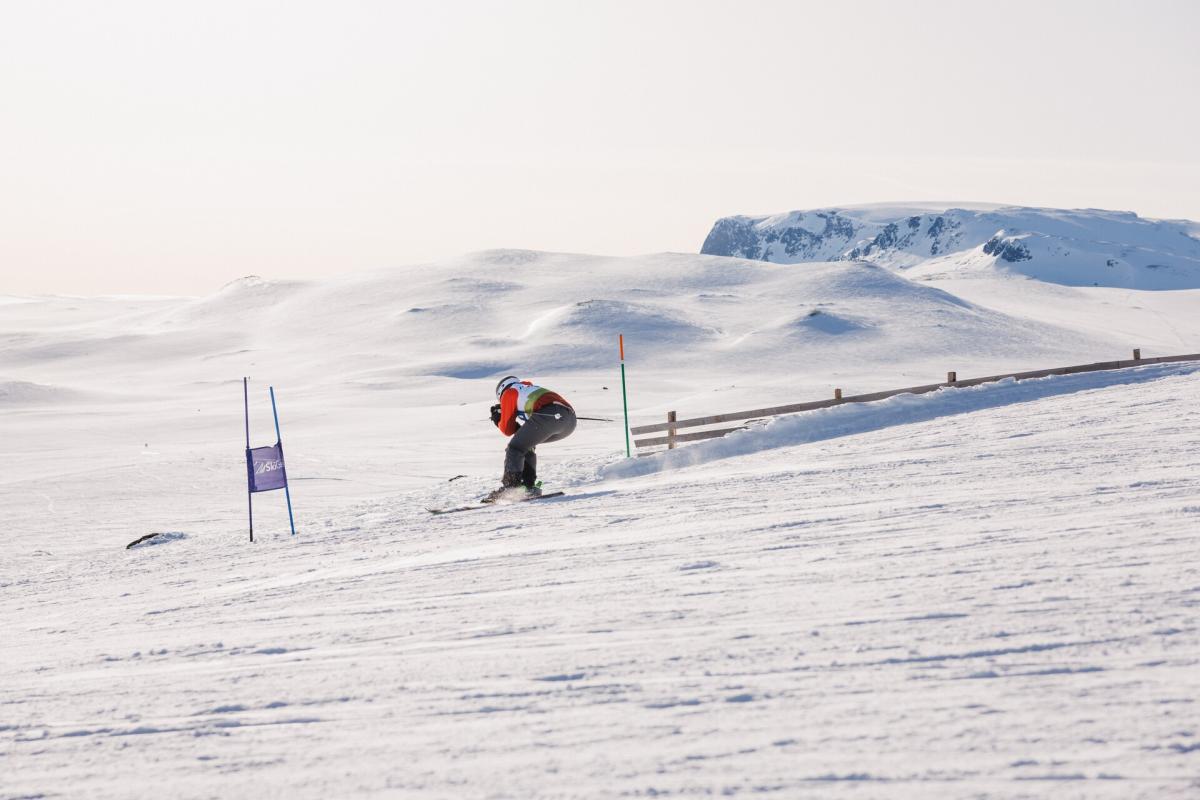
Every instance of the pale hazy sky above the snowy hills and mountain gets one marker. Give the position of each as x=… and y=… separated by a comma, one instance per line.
x=154, y=147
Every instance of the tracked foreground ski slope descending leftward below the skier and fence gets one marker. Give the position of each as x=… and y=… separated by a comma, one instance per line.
x=1000, y=604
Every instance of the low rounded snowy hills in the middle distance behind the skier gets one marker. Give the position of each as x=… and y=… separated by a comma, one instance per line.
x=484, y=315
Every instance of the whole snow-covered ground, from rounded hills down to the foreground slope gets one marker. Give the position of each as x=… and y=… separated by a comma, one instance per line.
x=981, y=593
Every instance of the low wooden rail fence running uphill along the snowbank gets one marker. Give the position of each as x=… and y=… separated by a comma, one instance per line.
x=671, y=428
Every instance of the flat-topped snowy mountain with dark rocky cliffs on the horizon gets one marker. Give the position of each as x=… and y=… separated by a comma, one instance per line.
x=1071, y=248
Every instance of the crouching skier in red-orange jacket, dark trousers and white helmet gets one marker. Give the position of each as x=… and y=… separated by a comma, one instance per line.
x=531, y=416
